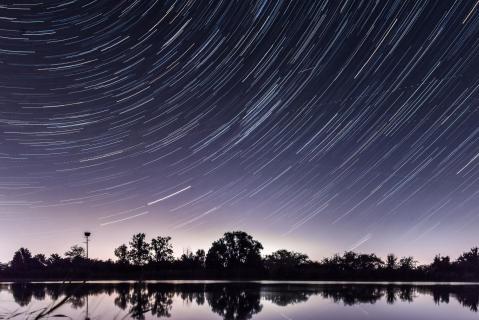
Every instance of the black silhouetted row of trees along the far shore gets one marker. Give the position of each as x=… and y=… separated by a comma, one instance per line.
x=236, y=255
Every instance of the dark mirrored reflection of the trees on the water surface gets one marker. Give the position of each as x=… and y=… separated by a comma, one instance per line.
x=235, y=301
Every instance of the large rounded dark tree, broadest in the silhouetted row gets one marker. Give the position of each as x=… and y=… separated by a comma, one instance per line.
x=234, y=251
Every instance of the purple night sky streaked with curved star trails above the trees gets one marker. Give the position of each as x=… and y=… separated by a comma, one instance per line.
x=318, y=126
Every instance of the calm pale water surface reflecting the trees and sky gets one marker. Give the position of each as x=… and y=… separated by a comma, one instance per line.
x=219, y=300
